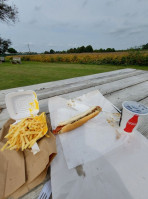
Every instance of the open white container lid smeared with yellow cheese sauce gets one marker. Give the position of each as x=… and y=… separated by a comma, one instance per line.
x=22, y=104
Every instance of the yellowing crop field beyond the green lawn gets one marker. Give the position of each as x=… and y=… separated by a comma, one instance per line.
x=115, y=58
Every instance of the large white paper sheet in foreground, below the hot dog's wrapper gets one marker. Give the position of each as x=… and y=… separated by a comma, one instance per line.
x=119, y=174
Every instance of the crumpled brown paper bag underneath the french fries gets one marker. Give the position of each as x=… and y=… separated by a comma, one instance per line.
x=22, y=171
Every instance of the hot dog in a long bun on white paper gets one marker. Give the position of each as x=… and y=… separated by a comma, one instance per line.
x=77, y=120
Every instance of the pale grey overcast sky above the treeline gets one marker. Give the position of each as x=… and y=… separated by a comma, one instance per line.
x=62, y=24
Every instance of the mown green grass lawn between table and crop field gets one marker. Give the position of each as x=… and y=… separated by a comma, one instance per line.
x=28, y=73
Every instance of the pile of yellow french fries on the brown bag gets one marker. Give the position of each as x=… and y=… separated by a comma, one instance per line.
x=24, y=134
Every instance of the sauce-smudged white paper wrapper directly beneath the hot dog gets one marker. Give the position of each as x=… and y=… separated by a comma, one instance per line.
x=94, y=138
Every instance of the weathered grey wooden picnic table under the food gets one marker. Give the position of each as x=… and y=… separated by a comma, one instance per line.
x=117, y=86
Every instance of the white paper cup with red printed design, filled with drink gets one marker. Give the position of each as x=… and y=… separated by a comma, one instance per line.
x=130, y=118
